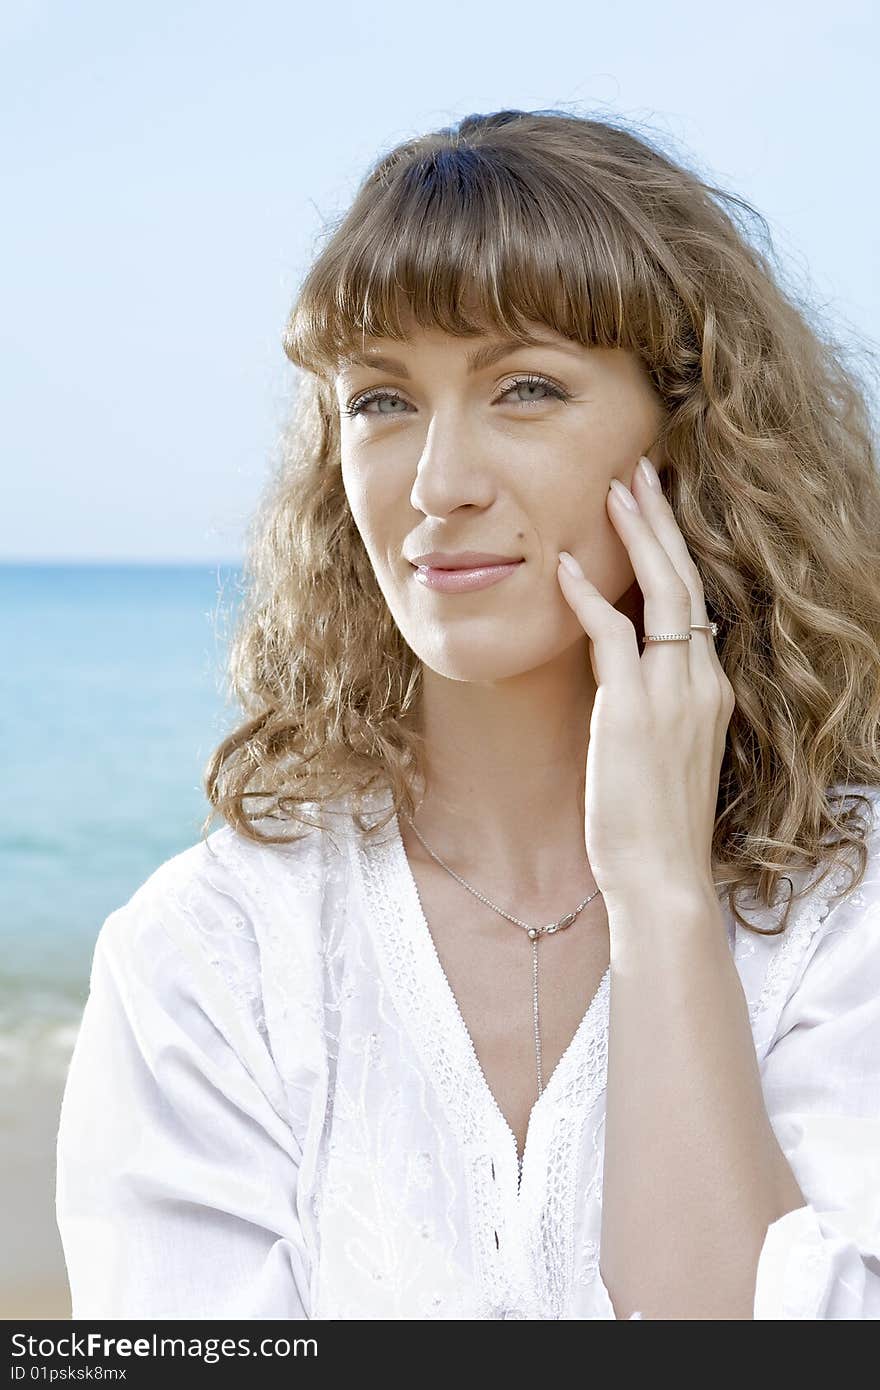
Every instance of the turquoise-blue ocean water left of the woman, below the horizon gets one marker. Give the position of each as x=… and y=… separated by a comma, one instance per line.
x=112, y=701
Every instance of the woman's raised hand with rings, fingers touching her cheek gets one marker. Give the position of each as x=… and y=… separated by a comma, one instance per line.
x=660, y=721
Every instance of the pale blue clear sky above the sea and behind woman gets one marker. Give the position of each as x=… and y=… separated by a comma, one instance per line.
x=170, y=169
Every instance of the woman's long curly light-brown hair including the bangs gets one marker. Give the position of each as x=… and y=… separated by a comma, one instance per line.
x=593, y=230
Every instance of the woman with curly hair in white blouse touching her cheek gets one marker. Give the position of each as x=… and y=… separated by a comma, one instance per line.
x=461, y=1014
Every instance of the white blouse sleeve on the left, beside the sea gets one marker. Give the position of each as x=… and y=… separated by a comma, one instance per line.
x=177, y=1168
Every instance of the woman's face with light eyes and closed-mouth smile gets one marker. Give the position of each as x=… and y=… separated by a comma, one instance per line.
x=448, y=458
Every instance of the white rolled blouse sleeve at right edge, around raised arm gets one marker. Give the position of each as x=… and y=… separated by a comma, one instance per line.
x=822, y=1089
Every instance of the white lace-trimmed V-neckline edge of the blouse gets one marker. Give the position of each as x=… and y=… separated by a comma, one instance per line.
x=423, y=939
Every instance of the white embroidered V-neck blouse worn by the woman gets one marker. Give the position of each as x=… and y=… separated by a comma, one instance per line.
x=275, y=1109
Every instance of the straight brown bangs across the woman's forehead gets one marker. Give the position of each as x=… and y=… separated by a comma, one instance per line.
x=475, y=241
